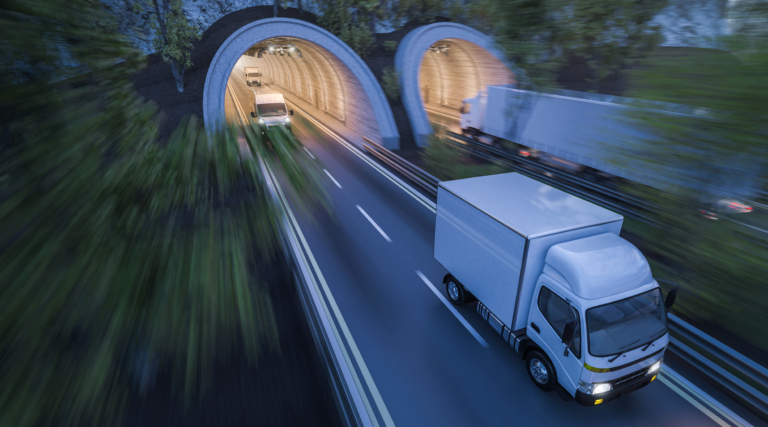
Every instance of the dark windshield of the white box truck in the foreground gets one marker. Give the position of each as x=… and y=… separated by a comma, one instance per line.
x=627, y=324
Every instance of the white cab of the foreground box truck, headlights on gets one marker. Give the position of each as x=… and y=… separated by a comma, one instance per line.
x=602, y=286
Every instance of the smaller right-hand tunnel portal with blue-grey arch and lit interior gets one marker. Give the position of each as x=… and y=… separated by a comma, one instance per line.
x=475, y=51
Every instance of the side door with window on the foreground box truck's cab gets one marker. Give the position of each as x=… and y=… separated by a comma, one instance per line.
x=550, y=314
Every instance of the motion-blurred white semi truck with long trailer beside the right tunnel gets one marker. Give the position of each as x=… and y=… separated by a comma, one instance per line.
x=573, y=131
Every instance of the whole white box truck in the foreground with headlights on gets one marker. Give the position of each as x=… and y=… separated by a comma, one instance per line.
x=552, y=276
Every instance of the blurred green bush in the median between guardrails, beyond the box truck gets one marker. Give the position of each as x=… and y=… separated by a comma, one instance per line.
x=447, y=162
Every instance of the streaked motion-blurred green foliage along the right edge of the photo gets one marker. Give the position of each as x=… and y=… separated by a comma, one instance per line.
x=712, y=149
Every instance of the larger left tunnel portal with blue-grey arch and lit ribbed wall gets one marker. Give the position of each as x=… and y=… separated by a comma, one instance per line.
x=313, y=69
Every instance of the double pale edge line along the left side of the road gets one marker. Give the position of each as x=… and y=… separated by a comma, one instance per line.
x=297, y=235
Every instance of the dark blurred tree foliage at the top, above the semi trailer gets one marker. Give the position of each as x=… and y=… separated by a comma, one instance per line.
x=539, y=36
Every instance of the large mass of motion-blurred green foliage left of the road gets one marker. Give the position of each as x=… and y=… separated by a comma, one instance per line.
x=120, y=255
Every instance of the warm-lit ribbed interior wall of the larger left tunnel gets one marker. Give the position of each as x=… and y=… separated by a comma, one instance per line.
x=319, y=78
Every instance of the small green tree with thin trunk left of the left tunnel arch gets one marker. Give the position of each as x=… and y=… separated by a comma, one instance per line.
x=175, y=36
